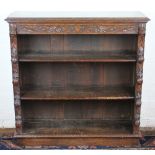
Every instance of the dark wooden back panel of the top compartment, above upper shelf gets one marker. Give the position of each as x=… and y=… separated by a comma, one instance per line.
x=76, y=43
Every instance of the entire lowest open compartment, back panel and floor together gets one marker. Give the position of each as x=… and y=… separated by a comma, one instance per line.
x=77, y=117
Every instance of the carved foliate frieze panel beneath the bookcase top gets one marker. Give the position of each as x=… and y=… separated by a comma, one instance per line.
x=76, y=28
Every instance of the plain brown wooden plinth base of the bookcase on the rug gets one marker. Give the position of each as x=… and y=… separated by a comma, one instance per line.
x=39, y=142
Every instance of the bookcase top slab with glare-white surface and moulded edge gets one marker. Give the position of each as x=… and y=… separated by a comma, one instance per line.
x=77, y=16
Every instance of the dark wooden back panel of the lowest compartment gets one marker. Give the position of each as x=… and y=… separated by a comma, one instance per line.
x=103, y=110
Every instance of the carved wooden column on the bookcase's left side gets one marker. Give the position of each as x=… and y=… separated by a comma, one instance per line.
x=15, y=76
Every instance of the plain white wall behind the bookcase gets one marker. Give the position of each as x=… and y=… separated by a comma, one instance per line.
x=146, y=6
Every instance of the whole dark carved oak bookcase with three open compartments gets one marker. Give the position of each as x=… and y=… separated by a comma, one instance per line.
x=77, y=78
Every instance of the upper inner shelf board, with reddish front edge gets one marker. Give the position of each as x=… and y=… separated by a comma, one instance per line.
x=78, y=56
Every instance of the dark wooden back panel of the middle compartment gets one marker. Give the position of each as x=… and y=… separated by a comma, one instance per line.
x=69, y=75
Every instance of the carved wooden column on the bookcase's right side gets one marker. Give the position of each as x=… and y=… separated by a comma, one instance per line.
x=139, y=77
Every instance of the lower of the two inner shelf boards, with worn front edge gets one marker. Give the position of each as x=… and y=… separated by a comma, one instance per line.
x=92, y=93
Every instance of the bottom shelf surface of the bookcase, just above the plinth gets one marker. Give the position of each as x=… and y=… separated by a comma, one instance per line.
x=77, y=127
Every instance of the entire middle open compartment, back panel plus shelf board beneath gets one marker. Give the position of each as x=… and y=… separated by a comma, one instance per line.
x=77, y=81
